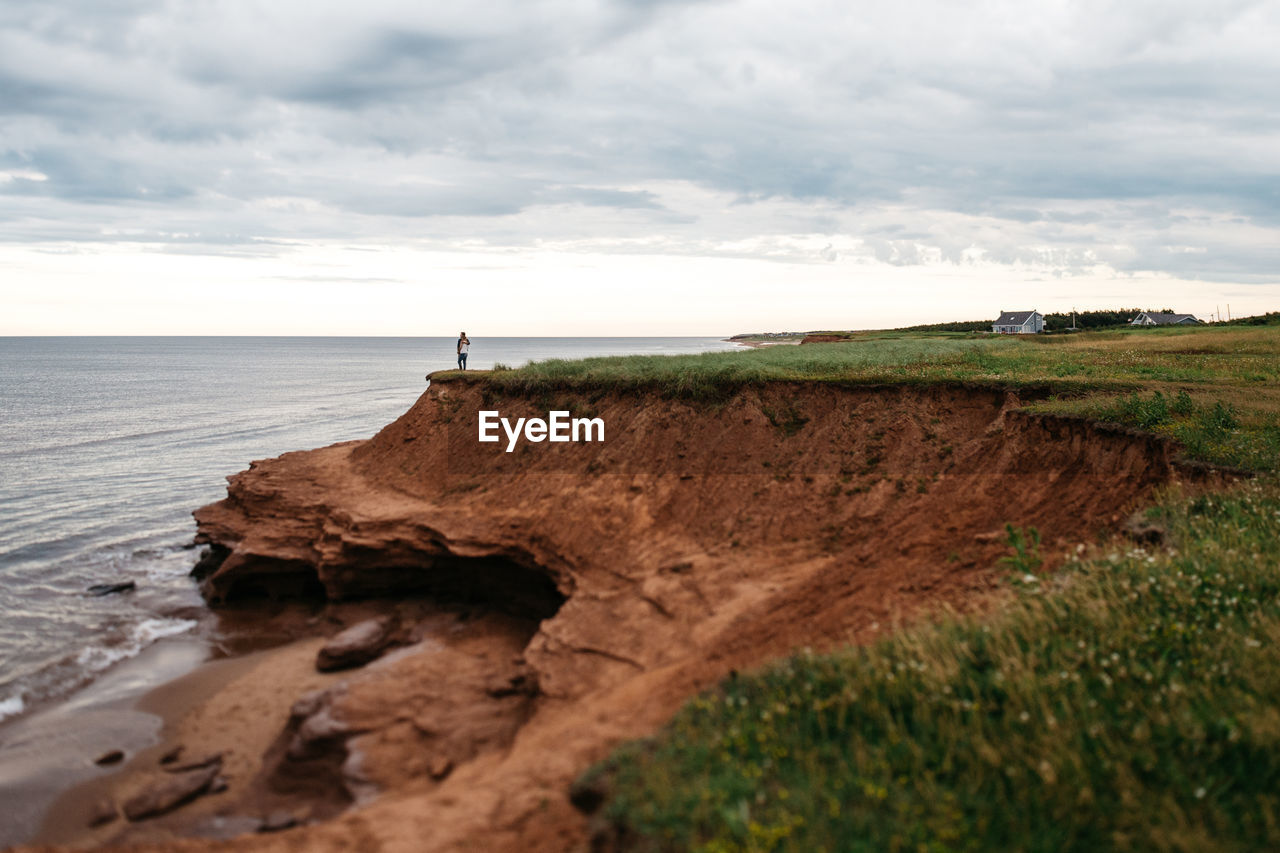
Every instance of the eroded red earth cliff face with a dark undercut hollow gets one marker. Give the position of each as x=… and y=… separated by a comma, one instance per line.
x=697, y=540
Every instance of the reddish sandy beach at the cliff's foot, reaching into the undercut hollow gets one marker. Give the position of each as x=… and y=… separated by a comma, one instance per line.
x=236, y=709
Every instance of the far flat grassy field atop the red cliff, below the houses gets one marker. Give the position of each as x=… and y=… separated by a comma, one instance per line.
x=1214, y=389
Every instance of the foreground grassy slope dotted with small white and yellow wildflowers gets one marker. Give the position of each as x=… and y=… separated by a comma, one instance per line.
x=1131, y=703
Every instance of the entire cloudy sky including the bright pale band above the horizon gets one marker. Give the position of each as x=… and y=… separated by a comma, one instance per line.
x=630, y=167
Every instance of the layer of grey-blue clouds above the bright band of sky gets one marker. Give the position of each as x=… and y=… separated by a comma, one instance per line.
x=1094, y=134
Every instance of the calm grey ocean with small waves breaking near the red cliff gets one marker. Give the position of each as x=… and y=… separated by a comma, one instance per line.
x=107, y=446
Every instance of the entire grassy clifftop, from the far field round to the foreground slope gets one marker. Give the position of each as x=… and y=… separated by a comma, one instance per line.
x=1131, y=701
